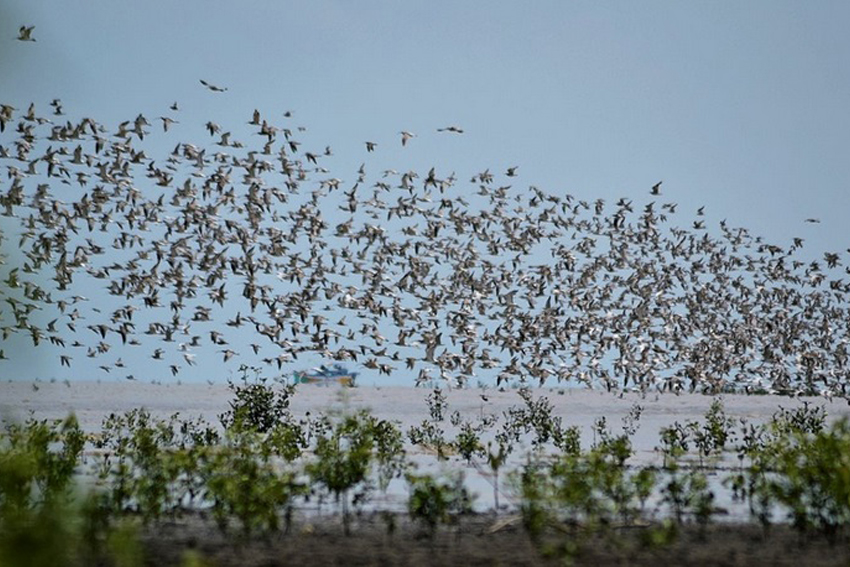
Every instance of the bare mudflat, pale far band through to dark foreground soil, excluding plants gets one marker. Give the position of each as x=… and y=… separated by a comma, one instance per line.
x=383, y=534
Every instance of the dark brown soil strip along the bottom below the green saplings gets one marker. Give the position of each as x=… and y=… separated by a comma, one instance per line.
x=486, y=540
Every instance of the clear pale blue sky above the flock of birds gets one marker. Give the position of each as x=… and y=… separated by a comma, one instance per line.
x=740, y=107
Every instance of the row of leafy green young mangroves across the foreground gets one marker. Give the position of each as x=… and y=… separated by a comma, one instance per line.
x=252, y=470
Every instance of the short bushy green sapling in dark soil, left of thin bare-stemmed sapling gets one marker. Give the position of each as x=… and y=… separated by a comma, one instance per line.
x=435, y=501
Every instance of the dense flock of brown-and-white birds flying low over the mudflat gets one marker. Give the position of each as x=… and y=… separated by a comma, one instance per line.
x=255, y=253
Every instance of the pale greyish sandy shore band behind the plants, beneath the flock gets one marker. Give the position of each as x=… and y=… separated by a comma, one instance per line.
x=92, y=401
